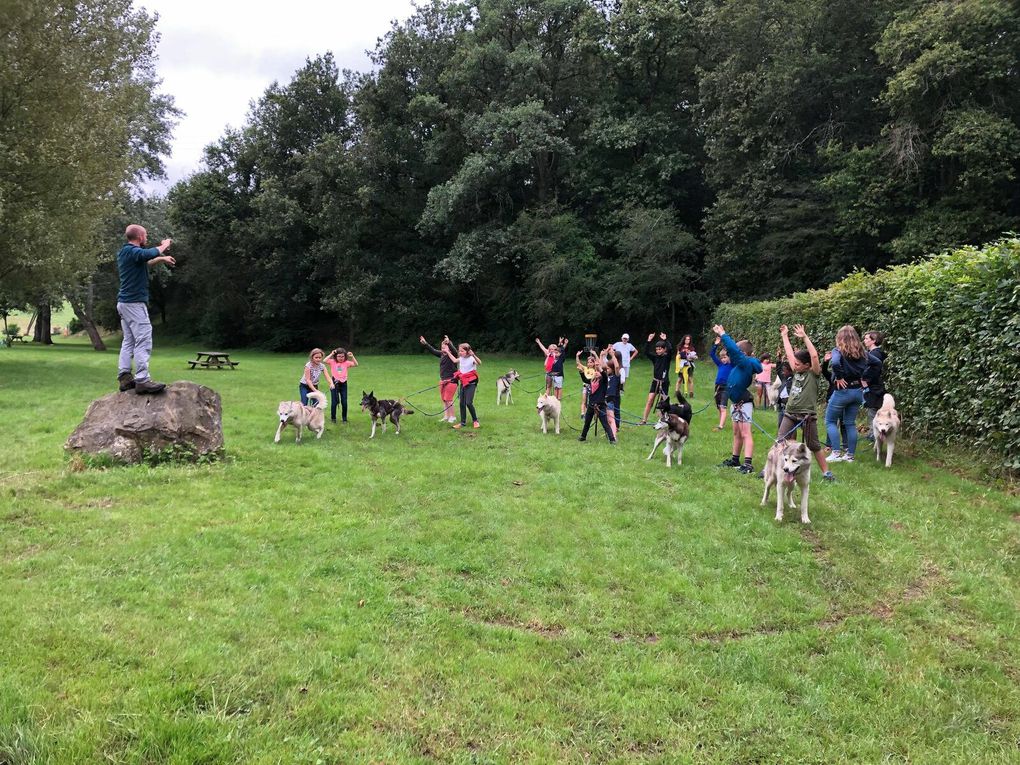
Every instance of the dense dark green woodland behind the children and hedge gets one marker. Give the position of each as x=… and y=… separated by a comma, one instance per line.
x=521, y=167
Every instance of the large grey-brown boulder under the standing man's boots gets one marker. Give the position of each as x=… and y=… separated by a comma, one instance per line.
x=123, y=425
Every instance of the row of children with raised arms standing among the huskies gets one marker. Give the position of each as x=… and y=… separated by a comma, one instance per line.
x=853, y=369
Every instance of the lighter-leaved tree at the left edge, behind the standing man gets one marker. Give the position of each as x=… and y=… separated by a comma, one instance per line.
x=82, y=122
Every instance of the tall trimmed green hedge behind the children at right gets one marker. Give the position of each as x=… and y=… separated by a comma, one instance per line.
x=952, y=328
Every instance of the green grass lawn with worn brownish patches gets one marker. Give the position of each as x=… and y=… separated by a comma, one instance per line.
x=492, y=596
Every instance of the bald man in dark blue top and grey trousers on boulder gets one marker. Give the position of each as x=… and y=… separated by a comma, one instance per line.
x=133, y=264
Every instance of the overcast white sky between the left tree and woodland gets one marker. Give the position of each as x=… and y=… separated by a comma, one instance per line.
x=217, y=57
